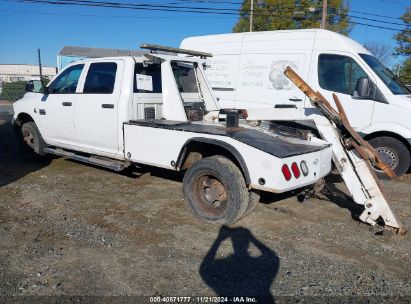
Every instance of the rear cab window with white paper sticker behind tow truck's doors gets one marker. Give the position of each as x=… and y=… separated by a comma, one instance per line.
x=147, y=79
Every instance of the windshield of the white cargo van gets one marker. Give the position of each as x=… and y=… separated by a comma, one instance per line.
x=391, y=81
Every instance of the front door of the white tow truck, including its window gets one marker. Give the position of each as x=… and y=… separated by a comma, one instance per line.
x=56, y=109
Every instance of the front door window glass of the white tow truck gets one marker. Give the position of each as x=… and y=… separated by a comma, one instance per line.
x=66, y=82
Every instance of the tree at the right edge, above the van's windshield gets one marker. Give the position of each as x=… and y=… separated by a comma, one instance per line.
x=404, y=47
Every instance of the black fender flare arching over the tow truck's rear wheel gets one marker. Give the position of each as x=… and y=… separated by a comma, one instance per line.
x=218, y=143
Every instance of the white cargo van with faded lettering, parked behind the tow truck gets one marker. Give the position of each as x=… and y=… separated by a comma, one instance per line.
x=246, y=71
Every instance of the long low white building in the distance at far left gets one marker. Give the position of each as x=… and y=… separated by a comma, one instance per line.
x=24, y=72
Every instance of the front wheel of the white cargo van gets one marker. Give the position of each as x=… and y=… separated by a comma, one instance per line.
x=394, y=153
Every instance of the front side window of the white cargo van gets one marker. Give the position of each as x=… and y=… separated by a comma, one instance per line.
x=338, y=73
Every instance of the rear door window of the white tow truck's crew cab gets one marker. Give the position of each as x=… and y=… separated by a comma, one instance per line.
x=101, y=77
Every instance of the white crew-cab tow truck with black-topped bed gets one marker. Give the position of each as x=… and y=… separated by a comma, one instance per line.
x=159, y=110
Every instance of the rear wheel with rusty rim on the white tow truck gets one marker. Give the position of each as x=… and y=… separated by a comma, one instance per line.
x=215, y=190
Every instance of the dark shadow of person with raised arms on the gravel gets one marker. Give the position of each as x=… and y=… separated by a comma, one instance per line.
x=240, y=274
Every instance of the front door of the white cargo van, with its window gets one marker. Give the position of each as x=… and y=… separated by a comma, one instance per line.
x=339, y=73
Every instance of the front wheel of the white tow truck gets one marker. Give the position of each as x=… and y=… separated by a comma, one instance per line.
x=32, y=144
